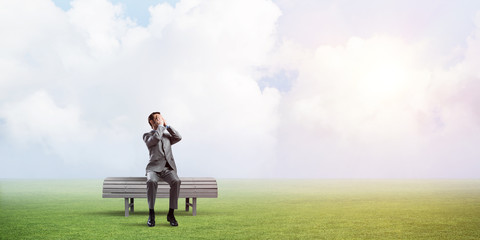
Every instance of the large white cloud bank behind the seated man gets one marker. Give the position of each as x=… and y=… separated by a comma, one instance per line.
x=80, y=86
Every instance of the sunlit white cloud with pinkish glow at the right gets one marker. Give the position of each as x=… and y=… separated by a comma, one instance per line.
x=375, y=108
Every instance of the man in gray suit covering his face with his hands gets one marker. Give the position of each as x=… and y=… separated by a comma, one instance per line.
x=162, y=165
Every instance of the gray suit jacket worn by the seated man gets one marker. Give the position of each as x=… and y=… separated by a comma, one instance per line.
x=159, y=145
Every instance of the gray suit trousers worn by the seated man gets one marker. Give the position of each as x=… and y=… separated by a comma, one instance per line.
x=168, y=175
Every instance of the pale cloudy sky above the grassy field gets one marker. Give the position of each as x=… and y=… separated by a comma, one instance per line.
x=256, y=88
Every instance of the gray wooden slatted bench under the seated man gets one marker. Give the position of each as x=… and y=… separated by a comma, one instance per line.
x=130, y=188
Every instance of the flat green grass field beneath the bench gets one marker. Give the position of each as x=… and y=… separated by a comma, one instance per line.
x=250, y=209
